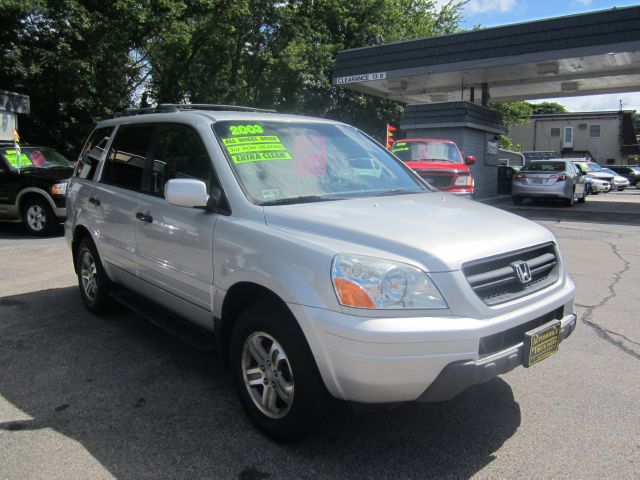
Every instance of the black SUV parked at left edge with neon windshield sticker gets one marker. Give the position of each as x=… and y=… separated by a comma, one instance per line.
x=33, y=186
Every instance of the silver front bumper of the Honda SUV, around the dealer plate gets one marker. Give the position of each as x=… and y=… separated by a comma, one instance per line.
x=381, y=360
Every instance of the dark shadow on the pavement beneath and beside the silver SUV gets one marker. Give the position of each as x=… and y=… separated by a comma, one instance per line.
x=146, y=405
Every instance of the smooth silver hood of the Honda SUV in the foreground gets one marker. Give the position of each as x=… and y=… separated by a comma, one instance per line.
x=438, y=231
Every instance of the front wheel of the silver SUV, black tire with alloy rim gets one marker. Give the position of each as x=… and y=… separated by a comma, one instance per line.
x=275, y=374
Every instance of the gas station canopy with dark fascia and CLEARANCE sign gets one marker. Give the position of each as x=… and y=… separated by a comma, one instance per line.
x=586, y=54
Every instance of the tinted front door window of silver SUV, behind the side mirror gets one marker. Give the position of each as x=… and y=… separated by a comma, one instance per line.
x=179, y=153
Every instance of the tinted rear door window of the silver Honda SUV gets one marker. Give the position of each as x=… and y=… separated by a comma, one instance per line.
x=126, y=159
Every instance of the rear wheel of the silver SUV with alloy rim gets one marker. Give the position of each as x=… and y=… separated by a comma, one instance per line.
x=95, y=286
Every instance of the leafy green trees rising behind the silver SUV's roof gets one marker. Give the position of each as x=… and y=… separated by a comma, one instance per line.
x=80, y=60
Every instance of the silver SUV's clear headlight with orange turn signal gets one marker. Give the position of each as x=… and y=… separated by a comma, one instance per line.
x=367, y=282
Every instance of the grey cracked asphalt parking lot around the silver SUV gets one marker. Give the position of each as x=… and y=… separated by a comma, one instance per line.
x=89, y=397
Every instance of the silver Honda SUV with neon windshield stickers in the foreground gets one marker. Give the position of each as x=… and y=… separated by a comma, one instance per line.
x=322, y=266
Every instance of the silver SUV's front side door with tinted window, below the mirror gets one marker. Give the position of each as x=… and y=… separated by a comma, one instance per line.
x=174, y=244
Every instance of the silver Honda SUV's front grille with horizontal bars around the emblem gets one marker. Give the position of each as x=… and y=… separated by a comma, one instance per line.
x=495, y=279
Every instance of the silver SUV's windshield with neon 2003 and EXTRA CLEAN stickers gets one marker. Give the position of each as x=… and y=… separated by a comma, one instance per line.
x=284, y=162
